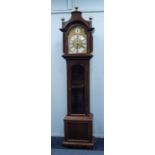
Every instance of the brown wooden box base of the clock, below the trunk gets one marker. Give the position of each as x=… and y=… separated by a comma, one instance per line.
x=78, y=131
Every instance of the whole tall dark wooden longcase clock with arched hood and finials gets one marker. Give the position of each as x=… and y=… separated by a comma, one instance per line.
x=77, y=49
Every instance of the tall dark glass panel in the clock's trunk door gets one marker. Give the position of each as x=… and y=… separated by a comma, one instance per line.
x=77, y=89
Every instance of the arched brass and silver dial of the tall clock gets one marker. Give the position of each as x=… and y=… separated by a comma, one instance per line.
x=77, y=40
